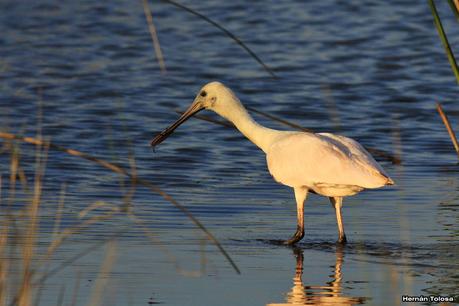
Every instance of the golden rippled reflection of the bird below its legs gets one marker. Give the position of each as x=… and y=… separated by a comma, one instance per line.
x=318, y=295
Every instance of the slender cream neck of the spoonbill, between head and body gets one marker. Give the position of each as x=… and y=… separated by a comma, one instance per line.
x=261, y=136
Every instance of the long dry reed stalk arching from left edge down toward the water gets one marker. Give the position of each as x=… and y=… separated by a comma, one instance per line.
x=121, y=171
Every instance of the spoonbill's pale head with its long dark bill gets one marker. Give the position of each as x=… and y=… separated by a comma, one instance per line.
x=213, y=96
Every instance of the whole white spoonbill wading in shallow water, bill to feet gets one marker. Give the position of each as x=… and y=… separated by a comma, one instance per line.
x=330, y=165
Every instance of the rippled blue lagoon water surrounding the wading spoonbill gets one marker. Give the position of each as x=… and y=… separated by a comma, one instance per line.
x=371, y=71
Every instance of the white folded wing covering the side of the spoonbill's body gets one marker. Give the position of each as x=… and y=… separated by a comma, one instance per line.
x=307, y=159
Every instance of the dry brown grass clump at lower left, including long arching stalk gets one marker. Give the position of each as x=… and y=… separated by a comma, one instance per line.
x=19, y=229
